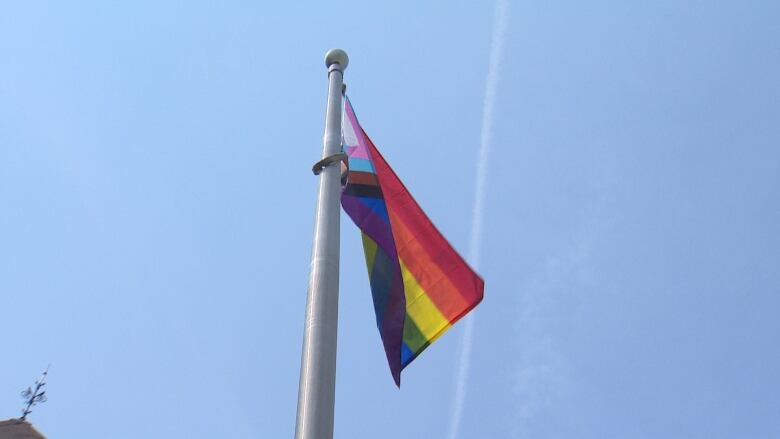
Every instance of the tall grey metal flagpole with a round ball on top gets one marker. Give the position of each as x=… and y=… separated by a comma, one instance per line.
x=317, y=385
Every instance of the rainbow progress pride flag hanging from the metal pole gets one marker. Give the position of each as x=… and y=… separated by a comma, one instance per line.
x=419, y=283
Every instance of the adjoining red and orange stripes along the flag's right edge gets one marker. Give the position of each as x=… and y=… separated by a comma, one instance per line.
x=423, y=248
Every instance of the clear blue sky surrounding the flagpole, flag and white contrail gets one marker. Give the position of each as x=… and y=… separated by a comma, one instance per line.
x=156, y=213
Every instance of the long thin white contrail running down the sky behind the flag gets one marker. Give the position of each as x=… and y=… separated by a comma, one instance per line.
x=500, y=19
